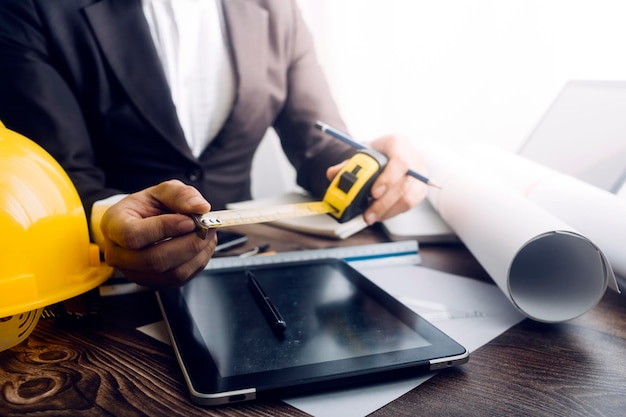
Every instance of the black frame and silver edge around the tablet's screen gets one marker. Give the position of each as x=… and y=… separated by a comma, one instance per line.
x=208, y=387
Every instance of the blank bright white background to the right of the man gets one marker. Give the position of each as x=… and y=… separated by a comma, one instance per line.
x=461, y=70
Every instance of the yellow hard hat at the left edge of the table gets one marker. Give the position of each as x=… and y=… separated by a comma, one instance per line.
x=46, y=255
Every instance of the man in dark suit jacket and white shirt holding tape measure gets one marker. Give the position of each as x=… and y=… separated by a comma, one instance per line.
x=108, y=88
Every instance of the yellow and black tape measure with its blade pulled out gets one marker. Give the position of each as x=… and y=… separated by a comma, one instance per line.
x=346, y=197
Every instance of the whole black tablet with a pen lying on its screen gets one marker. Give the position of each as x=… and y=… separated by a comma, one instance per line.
x=278, y=330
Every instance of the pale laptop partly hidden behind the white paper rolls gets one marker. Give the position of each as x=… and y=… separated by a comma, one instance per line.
x=583, y=134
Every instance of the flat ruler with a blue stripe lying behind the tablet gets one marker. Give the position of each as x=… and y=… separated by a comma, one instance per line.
x=378, y=254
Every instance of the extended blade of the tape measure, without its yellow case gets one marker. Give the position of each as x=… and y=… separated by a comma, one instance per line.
x=236, y=217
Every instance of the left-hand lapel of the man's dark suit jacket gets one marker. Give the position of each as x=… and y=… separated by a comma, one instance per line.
x=126, y=42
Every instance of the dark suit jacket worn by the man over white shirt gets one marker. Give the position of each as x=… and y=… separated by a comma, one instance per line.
x=83, y=79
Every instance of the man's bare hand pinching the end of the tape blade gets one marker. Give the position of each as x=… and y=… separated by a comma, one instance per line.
x=150, y=237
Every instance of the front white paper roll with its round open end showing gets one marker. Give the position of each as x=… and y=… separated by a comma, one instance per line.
x=548, y=269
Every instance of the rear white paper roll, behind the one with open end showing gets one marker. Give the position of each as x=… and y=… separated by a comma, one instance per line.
x=598, y=214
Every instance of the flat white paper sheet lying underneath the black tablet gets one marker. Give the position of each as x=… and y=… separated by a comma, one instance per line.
x=470, y=311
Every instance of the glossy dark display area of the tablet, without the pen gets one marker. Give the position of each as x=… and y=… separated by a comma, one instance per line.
x=328, y=318
